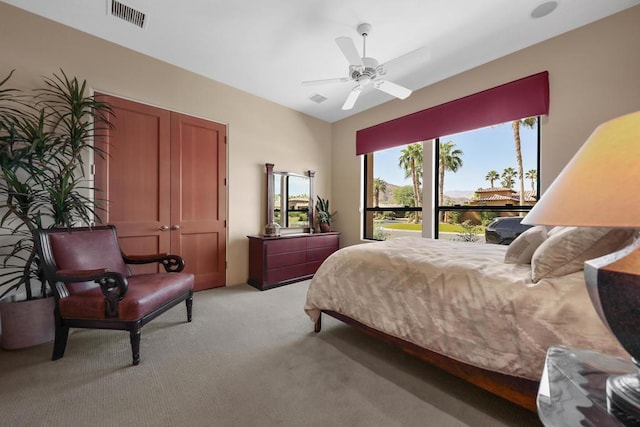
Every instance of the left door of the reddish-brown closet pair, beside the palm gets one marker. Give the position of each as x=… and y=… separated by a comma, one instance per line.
x=133, y=176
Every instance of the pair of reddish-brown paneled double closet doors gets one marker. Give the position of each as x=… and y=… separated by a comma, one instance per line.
x=164, y=176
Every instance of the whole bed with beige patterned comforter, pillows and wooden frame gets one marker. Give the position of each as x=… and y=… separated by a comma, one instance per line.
x=486, y=313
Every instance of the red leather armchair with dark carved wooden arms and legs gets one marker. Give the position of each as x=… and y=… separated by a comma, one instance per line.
x=94, y=288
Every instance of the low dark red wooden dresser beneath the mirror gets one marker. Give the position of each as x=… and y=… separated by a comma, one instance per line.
x=277, y=261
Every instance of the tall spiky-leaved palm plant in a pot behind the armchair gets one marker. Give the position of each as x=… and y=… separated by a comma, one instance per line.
x=45, y=135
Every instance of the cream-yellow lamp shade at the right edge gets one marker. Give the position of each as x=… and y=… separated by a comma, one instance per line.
x=599, y=186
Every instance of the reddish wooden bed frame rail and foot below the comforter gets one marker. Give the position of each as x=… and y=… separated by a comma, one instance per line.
x=520, y=391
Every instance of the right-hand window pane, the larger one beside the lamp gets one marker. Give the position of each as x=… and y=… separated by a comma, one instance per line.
x=483, y=174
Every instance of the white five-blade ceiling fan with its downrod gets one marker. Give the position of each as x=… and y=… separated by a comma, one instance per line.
x=364, y=71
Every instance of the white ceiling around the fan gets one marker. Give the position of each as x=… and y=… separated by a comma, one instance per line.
x=268, y=47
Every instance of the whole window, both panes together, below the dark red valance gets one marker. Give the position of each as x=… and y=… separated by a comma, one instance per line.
x=475, y=179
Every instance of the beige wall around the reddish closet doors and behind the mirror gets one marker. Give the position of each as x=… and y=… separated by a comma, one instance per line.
x=259, y=131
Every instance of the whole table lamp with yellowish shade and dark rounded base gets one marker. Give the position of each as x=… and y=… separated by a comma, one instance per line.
x=598, y=188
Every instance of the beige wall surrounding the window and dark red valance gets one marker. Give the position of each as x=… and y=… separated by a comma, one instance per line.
x=594, y=74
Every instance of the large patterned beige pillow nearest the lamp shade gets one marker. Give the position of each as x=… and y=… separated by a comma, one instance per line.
x=566, y=250
